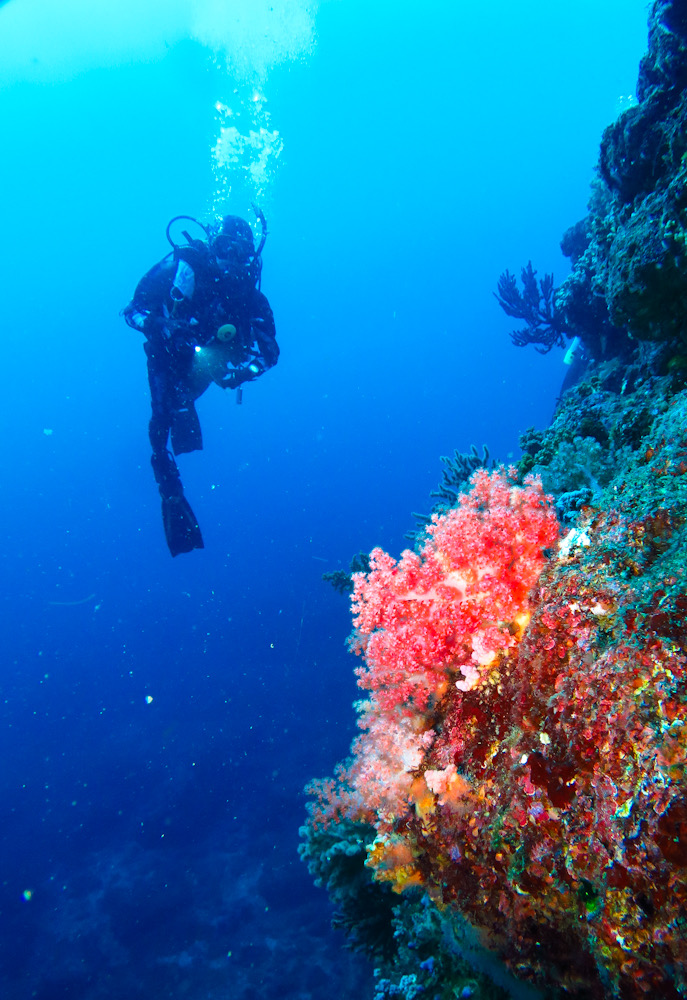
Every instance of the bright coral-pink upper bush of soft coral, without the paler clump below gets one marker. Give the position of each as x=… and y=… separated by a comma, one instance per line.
x=447, y=612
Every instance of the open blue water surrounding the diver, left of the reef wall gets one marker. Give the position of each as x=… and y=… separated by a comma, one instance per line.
x=160, y=717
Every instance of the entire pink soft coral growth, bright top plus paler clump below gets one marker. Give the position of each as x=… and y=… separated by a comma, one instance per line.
x=432, y=620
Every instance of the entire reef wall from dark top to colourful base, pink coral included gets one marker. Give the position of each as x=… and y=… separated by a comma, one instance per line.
x=513, y=815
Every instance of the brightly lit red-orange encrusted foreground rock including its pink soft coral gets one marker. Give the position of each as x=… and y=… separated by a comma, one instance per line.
x=522, y=753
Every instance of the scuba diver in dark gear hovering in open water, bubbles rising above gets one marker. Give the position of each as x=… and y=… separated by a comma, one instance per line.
x=205, y=320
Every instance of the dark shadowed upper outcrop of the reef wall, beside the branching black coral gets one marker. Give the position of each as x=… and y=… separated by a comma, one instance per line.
x=632, y=275
